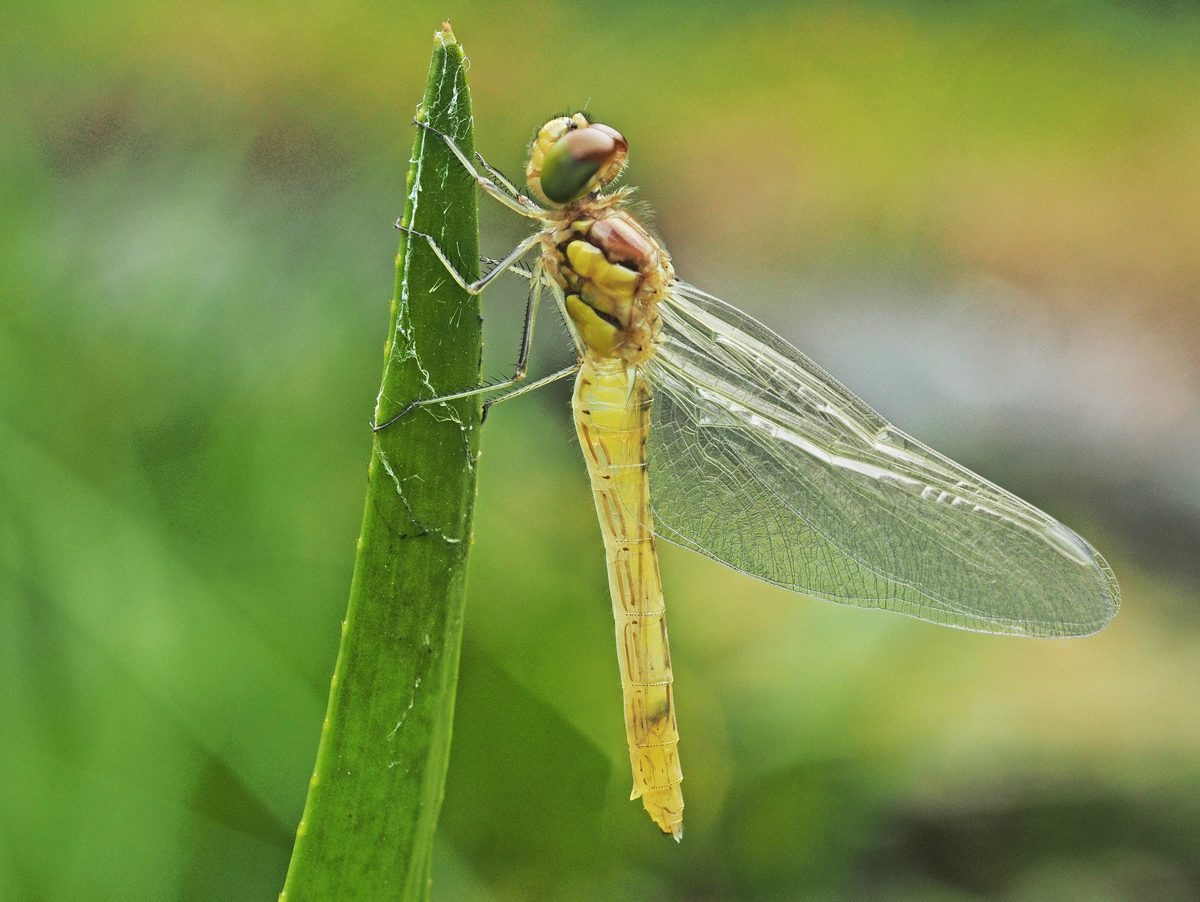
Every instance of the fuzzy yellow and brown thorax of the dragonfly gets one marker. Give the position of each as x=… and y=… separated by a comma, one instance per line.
x=614, y=274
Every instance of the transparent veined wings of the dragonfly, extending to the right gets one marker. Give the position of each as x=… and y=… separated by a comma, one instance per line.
x=763, y=461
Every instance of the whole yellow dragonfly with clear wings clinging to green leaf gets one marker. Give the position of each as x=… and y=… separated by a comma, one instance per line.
x=703, y=428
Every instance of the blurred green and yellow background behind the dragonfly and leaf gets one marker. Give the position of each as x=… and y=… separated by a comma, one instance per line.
x=981, y=217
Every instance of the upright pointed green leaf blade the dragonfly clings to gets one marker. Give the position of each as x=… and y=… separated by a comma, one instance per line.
x=369, y=823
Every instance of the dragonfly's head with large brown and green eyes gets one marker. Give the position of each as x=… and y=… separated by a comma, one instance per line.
x=572, y=158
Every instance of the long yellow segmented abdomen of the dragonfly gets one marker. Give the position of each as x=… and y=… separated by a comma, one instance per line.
x=613, y=413
